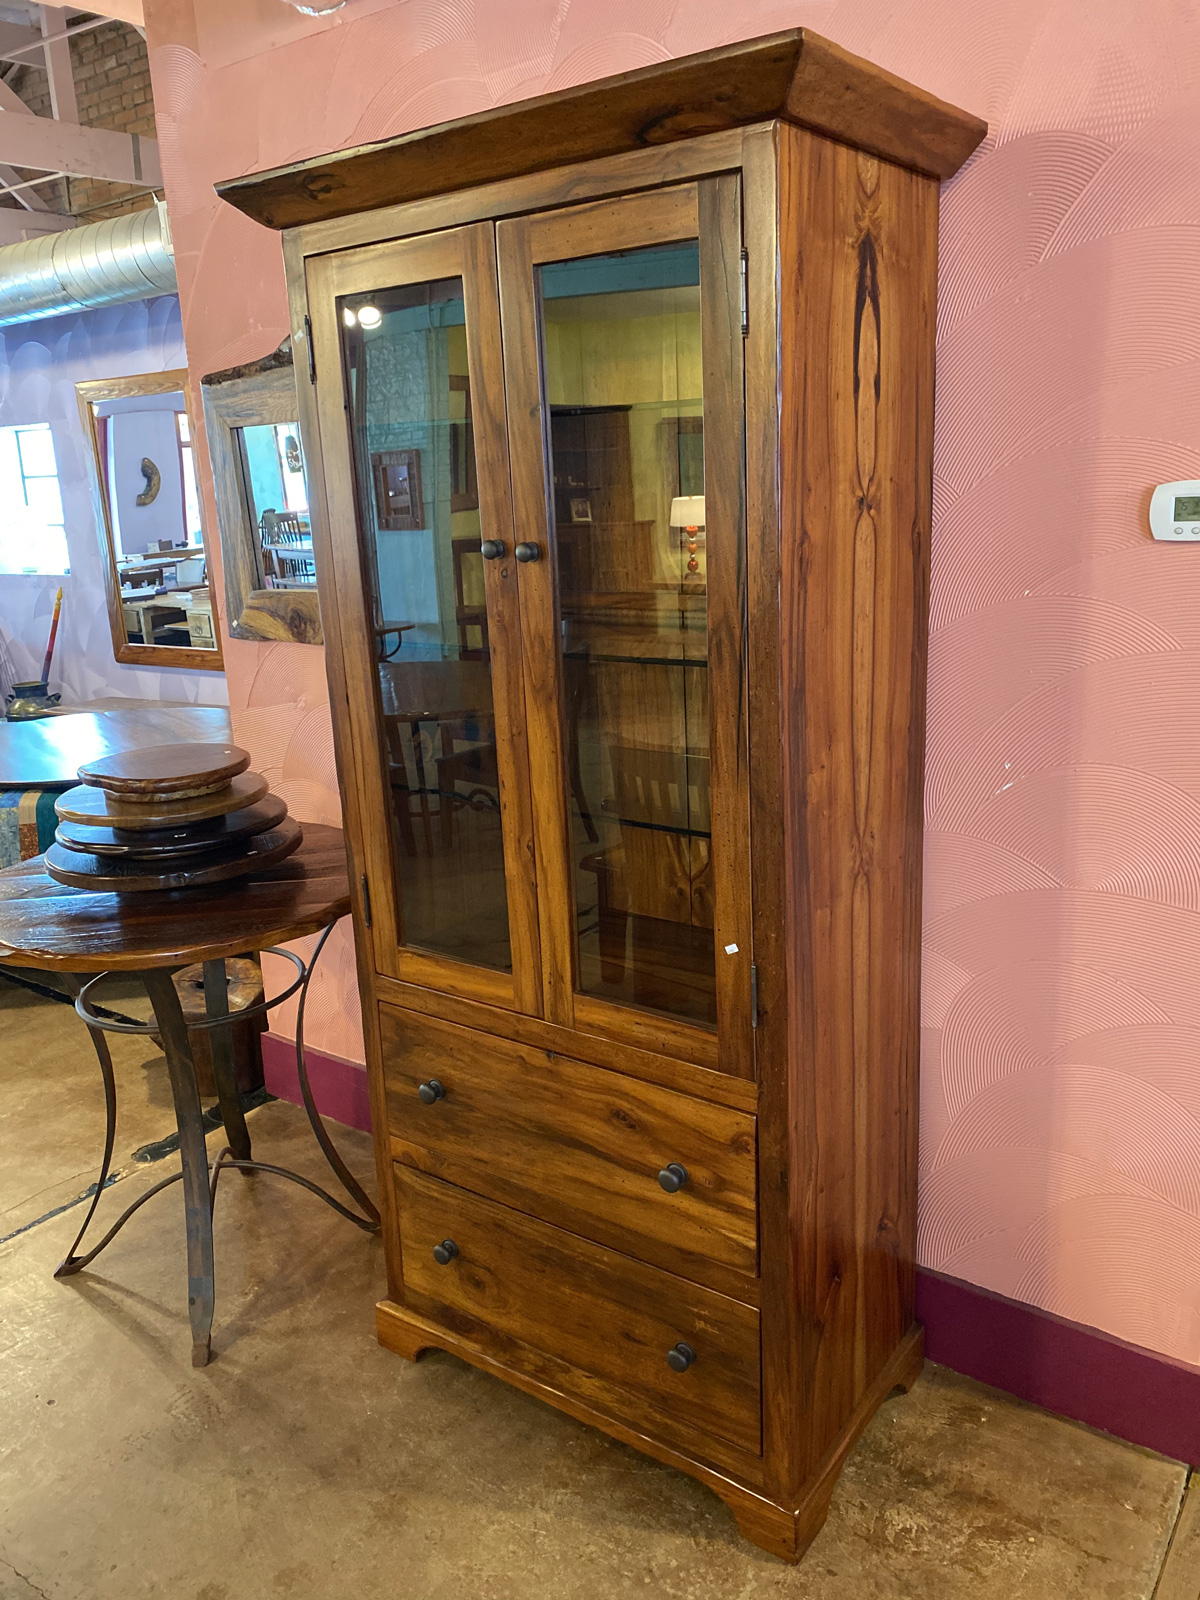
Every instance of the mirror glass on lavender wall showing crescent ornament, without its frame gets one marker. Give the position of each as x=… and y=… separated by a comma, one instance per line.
x=148, y=478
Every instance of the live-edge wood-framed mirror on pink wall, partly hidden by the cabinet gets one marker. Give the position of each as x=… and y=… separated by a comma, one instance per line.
x=262, y=500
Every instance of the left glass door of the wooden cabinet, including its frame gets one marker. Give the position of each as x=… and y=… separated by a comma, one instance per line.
x=417, y=332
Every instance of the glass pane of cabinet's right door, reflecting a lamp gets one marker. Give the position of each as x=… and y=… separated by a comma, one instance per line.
x=625, y=390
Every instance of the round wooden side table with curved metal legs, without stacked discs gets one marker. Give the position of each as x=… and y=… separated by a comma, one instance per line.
x=82, y=937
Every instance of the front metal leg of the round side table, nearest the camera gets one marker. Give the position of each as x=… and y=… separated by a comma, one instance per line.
x=194, y=1154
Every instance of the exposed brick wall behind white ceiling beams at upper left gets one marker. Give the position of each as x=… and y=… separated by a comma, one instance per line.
x=113, y=90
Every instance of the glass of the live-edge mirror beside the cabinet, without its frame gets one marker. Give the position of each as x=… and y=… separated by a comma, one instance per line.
x=273, y=471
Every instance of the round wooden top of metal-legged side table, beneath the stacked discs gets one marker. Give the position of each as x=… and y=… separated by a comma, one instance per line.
x=52, y=927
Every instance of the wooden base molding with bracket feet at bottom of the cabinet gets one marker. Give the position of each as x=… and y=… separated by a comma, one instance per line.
x=783, y=1530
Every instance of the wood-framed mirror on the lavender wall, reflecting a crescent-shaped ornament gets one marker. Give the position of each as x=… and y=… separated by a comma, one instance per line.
x=145, y=492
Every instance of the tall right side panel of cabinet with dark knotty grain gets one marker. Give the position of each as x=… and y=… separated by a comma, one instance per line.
x=858, y=290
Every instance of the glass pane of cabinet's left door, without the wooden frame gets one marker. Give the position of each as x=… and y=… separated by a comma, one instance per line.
x=410, y=402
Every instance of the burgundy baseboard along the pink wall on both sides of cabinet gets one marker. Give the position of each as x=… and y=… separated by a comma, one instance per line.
x=1062, y=1366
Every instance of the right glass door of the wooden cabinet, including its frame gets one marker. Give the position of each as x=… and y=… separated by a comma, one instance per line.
x=638, y=561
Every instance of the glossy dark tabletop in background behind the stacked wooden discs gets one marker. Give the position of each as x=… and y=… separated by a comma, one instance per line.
x=49, y=753
